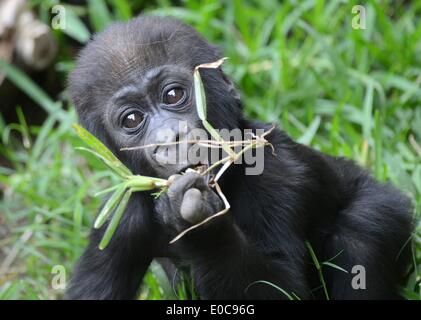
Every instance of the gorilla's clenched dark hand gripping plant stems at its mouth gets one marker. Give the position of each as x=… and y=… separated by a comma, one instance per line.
x=189, y=200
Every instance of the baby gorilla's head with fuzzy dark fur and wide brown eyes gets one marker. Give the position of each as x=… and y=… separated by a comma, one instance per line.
x=136, y=79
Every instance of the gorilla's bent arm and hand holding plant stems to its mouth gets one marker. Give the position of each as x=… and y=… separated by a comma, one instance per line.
x=225, y=264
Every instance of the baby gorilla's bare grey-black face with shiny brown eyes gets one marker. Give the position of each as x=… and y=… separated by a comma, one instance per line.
x=158, y=114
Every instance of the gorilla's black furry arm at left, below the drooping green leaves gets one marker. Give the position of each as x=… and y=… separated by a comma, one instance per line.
x=117, y=271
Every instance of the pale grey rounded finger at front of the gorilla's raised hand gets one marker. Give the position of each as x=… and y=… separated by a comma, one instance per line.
x=192, y=206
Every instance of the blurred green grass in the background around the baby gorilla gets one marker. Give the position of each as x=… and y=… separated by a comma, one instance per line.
x=346, y=92
